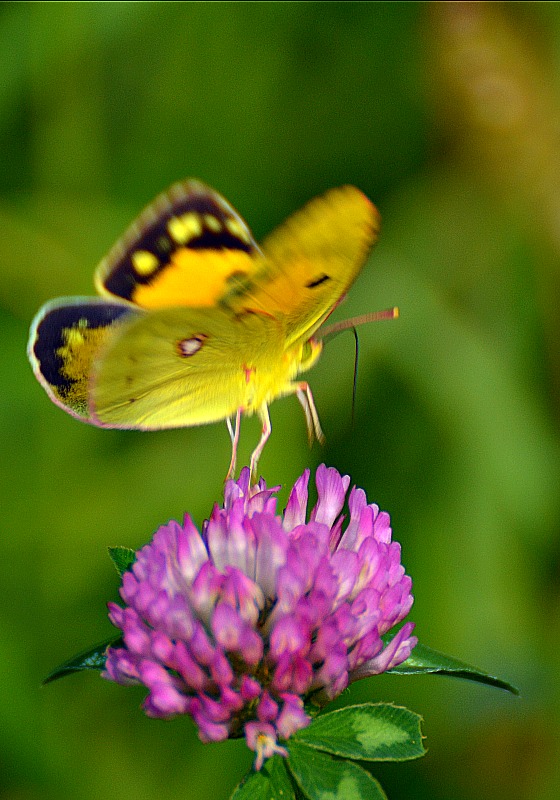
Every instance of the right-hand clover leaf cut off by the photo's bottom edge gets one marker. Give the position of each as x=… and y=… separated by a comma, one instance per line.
x=322, y=777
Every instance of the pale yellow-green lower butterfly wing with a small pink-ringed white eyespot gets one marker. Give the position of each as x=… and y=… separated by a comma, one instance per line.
x=171, y=368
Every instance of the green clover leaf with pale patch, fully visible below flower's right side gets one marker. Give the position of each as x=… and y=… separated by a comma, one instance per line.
x=368, y=732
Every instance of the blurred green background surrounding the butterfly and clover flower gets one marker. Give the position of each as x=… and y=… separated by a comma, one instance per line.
x=447, y=115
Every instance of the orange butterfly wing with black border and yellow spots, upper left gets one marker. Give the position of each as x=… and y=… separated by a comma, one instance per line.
x=187, y=248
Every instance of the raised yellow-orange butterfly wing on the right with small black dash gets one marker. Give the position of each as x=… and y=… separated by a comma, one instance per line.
x=311, y=261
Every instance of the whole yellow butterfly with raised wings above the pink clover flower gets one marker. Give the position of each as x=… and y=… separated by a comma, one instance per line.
x=197, y=323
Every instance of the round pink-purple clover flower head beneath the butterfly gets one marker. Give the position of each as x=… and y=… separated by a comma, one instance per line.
x=241, y=623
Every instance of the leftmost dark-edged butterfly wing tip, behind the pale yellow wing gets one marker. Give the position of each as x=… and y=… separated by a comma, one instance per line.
x=65, y=339
